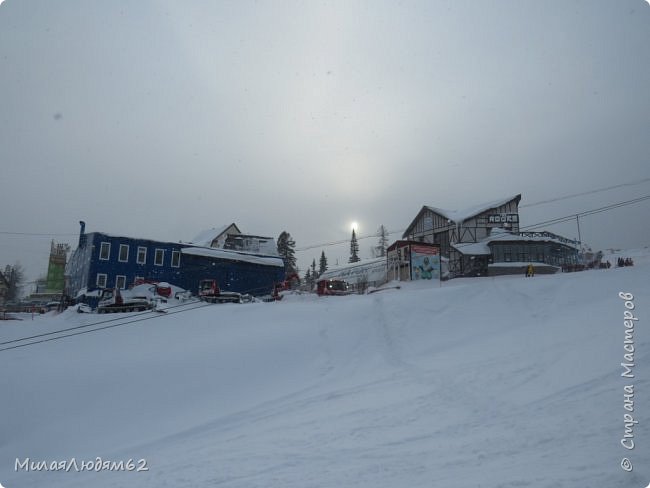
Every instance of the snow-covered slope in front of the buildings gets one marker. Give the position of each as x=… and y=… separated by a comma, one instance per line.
x=481, y=382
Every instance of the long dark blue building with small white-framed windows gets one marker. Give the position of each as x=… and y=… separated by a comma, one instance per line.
x=107, y=261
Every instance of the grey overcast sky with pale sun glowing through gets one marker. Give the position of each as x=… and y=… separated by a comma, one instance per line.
x=161, y=119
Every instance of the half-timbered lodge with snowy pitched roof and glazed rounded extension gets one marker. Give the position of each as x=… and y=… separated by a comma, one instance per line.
x=487, y=239
